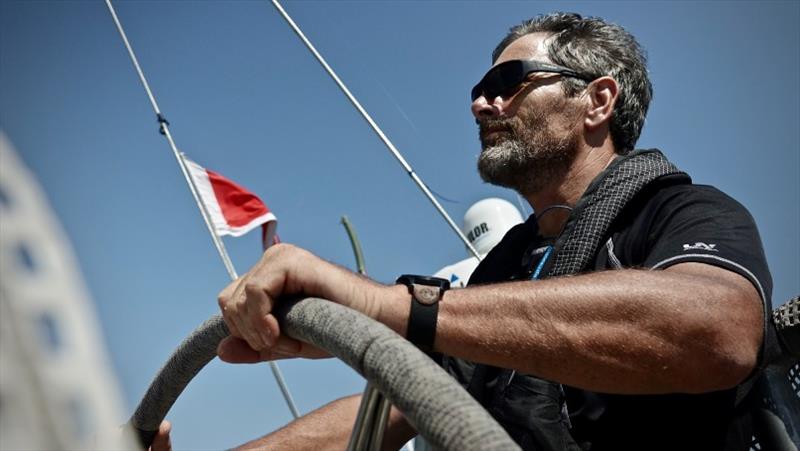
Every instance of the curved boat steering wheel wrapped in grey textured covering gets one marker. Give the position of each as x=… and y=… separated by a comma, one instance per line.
x=431, y=400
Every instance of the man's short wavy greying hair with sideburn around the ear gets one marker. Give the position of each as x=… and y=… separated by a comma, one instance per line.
x=595, y=48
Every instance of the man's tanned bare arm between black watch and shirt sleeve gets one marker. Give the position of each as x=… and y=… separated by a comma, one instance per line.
x=695, y=328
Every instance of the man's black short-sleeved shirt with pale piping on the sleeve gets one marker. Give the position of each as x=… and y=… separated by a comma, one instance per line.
x=667, y=223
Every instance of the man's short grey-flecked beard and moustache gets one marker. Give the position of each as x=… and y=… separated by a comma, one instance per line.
x=527, y=165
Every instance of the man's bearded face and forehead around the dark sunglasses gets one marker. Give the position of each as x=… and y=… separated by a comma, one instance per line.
x=530, y=138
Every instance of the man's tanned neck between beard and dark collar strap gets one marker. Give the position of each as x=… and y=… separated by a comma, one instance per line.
x=566, y=190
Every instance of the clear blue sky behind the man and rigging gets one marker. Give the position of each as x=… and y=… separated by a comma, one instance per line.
x=246, y=99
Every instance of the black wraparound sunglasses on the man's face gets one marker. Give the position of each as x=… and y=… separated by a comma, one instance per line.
x=503, y=79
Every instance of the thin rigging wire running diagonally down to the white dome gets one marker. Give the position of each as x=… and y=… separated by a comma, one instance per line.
x=409, y=170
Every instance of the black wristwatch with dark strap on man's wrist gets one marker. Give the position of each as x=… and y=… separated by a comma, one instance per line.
x=426, y=292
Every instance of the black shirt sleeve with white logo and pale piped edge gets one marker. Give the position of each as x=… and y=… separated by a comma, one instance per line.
x=702, y=224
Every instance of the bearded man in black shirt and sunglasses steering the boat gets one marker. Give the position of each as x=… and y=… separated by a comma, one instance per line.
x=646, y=340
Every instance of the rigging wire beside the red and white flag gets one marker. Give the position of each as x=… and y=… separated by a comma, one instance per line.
x=164, y=130
